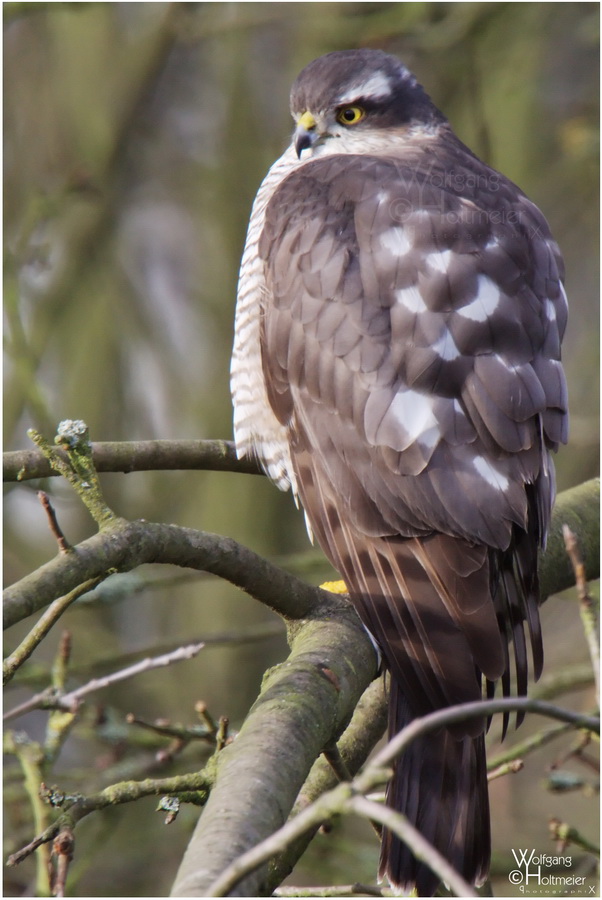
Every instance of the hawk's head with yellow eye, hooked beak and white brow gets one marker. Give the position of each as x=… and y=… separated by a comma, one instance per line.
x=349, y=98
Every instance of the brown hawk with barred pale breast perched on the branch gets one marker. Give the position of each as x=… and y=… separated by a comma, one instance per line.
x=397, y=364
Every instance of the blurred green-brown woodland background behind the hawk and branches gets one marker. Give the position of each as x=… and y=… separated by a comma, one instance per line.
x=135, y=137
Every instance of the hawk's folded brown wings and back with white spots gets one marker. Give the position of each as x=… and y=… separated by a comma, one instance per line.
x=410, y=343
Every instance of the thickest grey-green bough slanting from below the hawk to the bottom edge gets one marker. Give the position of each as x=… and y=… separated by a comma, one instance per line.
x=304, y=705
